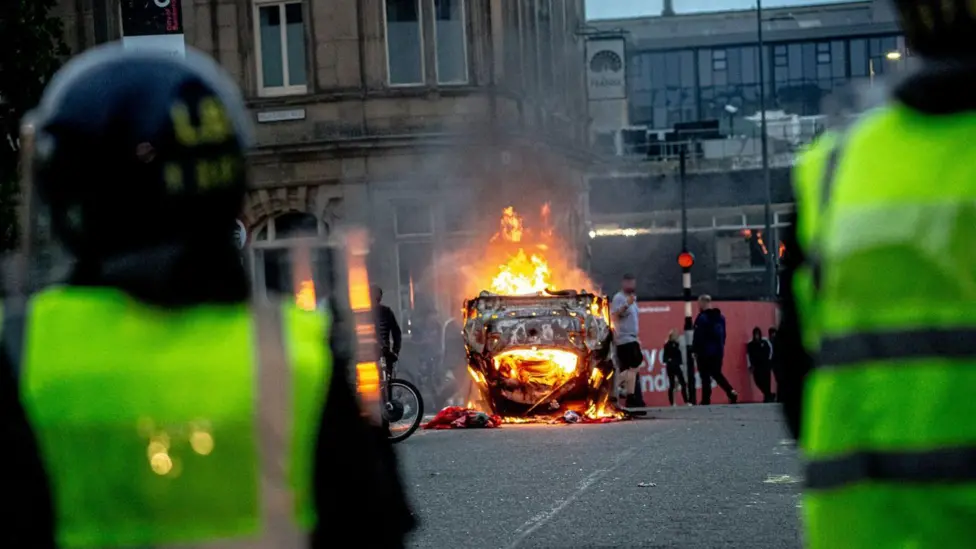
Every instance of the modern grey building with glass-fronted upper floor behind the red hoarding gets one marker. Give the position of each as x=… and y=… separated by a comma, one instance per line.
x=703, y=72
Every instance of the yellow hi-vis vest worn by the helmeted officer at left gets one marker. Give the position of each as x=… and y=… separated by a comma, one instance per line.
x=163, y=428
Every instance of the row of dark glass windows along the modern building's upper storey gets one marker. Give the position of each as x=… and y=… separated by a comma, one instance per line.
x=698, y=83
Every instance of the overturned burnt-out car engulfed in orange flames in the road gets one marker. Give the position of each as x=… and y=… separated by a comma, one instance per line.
x=531, y=350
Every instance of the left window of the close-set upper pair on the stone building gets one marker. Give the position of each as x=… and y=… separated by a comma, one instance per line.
x=404, y=42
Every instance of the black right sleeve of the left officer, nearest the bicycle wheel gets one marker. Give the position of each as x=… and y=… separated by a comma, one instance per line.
x=357, y=482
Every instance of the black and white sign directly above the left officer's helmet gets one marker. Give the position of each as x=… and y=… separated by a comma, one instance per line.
x=153, y=25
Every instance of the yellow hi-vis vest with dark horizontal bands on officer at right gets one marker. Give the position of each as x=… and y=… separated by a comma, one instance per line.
x=887, y=305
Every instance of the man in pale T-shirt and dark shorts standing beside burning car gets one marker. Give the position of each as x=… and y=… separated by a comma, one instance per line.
x=626, y=326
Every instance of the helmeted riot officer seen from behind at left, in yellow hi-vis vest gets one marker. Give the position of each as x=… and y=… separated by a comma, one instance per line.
x=165, y=412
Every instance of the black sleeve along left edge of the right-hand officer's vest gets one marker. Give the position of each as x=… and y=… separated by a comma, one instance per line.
x=793, y=359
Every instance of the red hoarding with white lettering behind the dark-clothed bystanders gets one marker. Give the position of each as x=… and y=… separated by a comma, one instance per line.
x=660, y=317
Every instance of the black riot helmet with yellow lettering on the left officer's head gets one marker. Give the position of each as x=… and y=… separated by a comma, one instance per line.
x=135, y=150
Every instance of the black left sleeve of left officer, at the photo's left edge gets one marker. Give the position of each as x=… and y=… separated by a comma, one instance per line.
x=27, y=519
